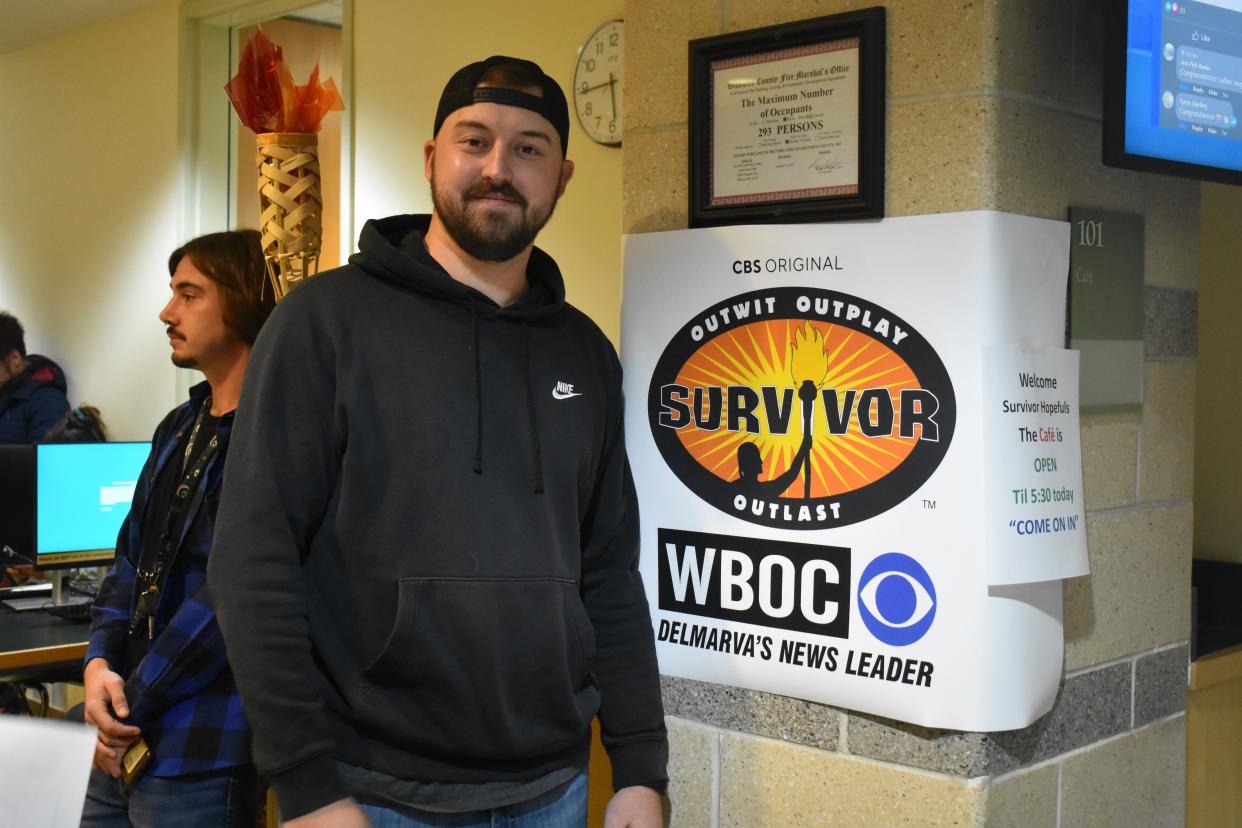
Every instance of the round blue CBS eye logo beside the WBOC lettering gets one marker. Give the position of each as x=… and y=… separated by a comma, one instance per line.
x=897, y=599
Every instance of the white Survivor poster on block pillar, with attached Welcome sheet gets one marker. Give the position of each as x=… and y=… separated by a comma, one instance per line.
x=856, y=450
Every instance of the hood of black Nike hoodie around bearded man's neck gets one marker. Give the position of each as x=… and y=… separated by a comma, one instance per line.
x=392, y=250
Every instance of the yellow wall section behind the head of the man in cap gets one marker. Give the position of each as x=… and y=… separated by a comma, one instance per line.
x=406, y=53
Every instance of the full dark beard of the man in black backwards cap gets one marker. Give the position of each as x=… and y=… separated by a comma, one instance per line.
x=487, y=236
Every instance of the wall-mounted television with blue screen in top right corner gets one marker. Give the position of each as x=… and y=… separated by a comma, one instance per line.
x=1173, y=89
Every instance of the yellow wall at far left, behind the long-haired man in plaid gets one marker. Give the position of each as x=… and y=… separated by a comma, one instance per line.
x=90, y=210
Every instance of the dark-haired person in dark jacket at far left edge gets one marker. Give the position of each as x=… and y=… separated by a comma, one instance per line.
x=32, y=388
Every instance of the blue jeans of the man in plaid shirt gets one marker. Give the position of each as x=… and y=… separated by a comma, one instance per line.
x=227, y=799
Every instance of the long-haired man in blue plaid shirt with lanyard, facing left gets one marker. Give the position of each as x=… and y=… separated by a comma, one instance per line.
x=156, y=672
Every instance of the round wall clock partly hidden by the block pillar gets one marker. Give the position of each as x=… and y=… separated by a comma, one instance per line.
x=599, y=80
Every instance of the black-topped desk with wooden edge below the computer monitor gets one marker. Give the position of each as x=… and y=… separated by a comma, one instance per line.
x=35, y=646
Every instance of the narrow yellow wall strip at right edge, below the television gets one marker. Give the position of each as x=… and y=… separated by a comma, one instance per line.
x=1218, y=450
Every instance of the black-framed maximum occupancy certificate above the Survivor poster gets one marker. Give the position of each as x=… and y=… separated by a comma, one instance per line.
x=793, y=133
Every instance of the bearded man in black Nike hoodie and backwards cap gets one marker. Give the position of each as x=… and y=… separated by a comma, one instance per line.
x=425, y=563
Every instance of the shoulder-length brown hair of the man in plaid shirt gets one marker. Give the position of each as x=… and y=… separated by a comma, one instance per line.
x=234, y=260
